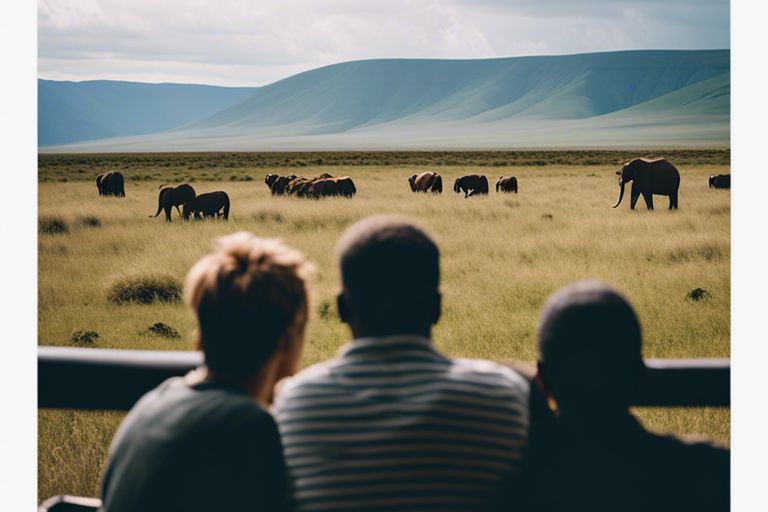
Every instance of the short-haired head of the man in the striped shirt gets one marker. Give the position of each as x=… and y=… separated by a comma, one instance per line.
x=390, y=273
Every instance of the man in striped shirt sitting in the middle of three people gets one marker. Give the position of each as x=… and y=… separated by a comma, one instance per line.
x=392, y=424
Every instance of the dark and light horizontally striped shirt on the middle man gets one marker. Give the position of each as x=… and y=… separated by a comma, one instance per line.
x=391, y=424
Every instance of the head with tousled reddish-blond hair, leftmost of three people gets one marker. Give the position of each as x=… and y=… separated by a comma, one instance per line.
x=250, y=296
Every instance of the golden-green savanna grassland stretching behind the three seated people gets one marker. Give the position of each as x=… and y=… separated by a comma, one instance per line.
x=502, y=255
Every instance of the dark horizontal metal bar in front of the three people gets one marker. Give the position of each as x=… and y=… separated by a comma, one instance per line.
x=83, y=378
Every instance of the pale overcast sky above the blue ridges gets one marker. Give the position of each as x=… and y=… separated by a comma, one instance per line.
x=255, y=42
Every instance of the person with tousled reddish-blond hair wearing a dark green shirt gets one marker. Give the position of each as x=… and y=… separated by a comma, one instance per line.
x=205, y=441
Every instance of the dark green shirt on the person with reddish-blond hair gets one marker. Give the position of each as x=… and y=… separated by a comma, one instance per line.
x=195, y=447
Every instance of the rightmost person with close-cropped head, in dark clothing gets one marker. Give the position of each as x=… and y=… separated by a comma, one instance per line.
x=586, y=450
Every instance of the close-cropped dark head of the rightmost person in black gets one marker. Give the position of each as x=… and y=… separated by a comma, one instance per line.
x=590, y=350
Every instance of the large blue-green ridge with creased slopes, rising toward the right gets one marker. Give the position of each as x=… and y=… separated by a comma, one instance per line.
x=631, y=98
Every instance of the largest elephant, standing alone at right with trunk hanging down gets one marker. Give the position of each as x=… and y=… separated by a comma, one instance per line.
x=649, y=177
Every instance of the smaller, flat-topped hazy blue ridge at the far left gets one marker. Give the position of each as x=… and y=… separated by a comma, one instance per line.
x=80, y=111
